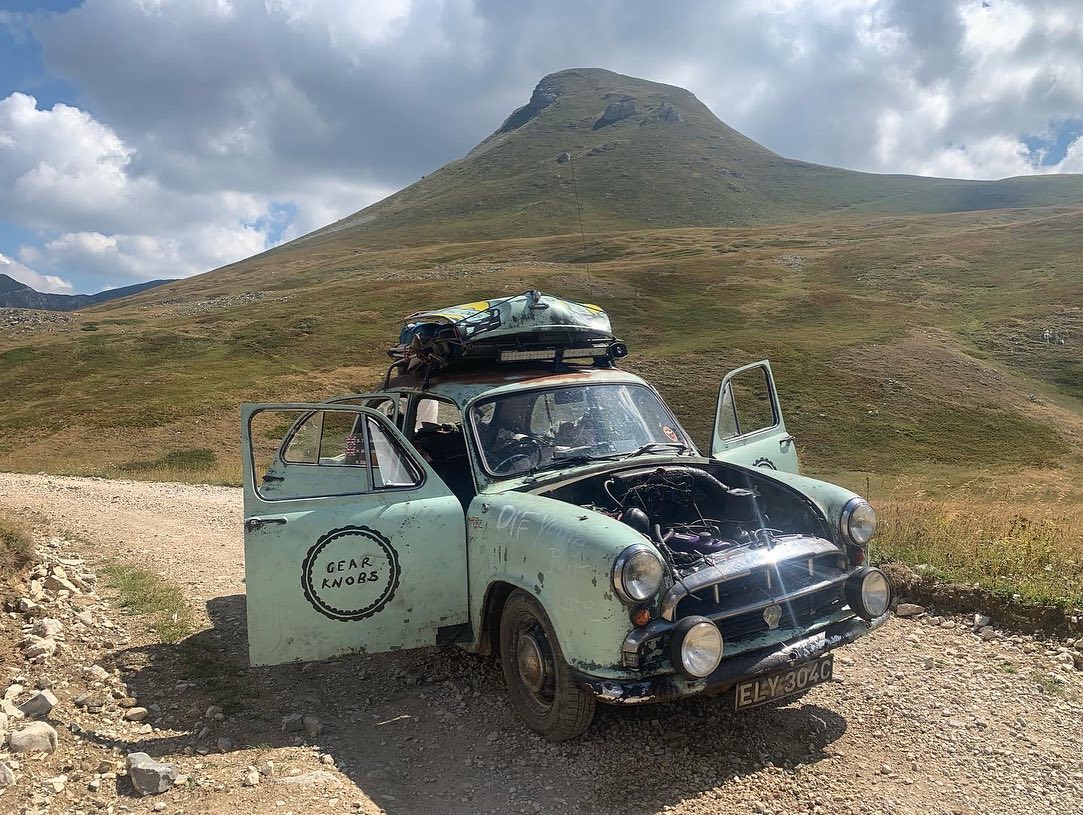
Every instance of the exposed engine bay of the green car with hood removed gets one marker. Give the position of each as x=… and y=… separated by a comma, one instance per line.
x=690, y=514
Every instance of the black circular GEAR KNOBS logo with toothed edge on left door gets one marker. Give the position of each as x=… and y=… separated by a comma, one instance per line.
x=350, y=574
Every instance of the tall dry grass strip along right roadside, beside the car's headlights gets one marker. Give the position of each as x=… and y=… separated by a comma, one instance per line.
x=1000, y=542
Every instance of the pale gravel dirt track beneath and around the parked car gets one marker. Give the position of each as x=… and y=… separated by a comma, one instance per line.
x=923, y=718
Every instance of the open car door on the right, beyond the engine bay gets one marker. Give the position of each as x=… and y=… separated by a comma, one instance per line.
x=749, y=425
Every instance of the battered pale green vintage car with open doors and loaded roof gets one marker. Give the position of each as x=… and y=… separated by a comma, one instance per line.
x=512, y=492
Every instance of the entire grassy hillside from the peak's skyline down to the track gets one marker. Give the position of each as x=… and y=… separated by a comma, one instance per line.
x=923, y=350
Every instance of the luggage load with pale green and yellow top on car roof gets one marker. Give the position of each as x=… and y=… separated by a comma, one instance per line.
x=531, y=326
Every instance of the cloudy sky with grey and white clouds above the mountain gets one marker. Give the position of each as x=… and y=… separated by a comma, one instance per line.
x=145, y=139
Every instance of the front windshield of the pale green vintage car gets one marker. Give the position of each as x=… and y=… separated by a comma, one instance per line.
x=524, y=432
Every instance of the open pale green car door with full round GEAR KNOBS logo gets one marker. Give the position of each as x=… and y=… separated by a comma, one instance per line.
x=353, y=544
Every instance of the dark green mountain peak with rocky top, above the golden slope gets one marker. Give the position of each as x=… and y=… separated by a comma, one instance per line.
x=634, y=154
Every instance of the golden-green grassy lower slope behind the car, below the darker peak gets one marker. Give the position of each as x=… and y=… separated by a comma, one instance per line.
x=892, y=338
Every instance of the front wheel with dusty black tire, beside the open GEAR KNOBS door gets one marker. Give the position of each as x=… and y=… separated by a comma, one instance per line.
x=539, y=680
